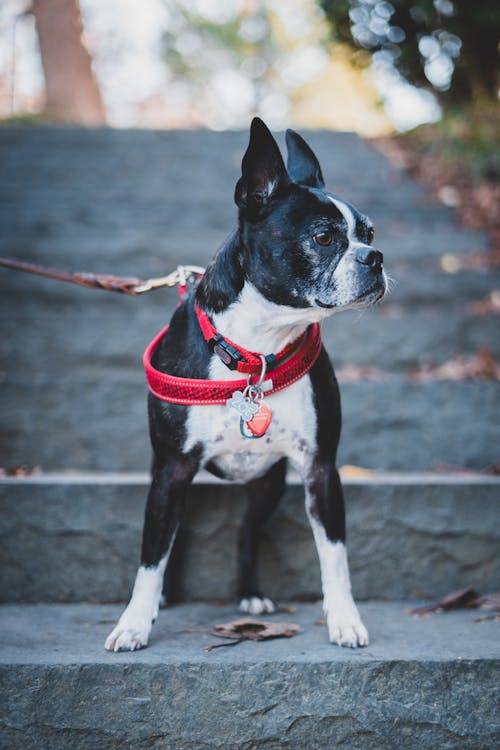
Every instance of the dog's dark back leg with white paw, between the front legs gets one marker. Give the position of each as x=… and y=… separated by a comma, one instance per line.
x=264, y=495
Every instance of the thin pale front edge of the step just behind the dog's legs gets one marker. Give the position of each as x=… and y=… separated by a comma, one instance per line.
x=348, y=476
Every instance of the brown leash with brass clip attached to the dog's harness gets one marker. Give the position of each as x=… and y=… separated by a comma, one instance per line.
x=108, y=282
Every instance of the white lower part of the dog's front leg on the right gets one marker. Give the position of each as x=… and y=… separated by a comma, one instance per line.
x=344, y=622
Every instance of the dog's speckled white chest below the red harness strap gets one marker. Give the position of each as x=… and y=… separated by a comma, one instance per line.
x=291, y=433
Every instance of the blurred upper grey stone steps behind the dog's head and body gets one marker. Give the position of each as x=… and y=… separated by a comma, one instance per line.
x=139, y=203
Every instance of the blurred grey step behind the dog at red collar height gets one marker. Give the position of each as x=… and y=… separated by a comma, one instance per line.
x=67, y=333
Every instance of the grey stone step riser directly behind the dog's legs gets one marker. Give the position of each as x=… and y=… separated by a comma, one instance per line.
x=76, y=537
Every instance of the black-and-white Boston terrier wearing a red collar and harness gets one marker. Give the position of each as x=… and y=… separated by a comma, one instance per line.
x=299, y=254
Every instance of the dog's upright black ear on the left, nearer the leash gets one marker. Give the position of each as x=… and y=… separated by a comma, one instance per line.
x=263, y=171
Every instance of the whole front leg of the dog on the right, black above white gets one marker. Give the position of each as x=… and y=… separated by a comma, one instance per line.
x=325, y=509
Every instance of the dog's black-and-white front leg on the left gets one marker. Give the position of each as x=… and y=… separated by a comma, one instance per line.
x=164, y=509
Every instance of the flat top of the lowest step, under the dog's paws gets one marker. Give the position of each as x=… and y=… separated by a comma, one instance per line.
x=69, y=634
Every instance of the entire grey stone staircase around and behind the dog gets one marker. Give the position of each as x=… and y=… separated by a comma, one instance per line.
x=73, y=404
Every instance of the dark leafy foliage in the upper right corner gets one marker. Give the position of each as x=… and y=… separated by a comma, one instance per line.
x=448, y=46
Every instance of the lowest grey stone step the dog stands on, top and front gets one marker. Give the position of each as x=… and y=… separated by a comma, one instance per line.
x=422, y=684
